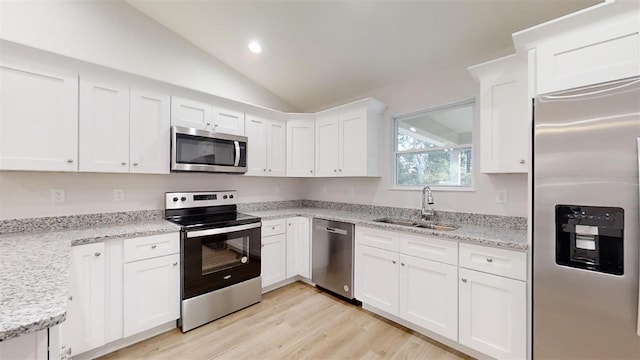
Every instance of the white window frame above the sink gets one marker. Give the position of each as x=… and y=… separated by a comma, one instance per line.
x=472, y=146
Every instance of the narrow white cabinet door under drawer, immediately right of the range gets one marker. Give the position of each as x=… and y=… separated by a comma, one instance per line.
x=274, y=259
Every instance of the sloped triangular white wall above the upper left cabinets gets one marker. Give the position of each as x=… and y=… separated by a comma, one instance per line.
x=114, y=34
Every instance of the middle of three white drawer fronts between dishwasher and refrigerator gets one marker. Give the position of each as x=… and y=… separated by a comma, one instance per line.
x=445, y=251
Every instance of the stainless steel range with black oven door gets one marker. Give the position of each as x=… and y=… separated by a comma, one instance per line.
x=220, y=253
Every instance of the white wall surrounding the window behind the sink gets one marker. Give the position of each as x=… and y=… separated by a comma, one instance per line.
x=435, y=88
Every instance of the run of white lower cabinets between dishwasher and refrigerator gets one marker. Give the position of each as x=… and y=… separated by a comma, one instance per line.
x=417, y=279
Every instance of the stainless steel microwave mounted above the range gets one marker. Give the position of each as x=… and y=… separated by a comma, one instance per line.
x=206, y=151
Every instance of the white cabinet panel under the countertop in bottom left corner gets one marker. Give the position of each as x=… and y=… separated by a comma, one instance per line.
x=32, y=346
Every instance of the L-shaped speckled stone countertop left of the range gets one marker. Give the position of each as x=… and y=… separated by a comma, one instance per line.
x=34, y=272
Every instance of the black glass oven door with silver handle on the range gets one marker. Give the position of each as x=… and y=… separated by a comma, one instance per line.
x=216, y=258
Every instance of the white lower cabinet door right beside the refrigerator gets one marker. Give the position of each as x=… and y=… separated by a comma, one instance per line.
x=493, y=317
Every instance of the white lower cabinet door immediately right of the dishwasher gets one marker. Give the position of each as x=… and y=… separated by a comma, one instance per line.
x=376, y=278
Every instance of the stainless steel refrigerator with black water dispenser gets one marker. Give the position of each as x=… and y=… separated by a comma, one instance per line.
x=585, y=222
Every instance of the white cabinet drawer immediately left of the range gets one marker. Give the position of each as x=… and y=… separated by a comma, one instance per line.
x=151, y=246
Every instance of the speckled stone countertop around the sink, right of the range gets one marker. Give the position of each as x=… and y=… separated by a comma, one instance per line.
x=503, y=237
